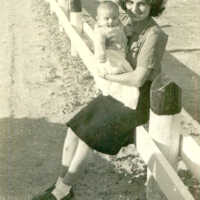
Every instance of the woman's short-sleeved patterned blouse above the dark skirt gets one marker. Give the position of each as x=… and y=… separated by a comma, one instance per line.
x=146, y=44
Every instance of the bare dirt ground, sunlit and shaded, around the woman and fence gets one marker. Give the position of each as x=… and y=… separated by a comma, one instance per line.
x=40, y=85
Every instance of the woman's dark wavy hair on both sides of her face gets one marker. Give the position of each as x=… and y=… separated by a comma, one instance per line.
x=156, y=6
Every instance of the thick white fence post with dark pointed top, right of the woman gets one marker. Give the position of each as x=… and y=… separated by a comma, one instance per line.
x=163, y=128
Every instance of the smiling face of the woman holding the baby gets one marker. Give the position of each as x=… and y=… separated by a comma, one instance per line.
x=138, y=9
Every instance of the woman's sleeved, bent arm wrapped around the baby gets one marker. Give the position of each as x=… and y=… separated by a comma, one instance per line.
x=149, y=58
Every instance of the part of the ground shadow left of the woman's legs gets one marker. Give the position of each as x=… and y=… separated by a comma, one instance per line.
x=30, y=152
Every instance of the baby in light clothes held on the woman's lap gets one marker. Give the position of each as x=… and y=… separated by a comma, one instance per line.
x=110, y=45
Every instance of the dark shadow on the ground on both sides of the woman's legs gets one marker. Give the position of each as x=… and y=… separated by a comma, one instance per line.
x=30, y=154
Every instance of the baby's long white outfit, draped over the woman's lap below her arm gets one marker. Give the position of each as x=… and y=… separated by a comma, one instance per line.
x=112, y=42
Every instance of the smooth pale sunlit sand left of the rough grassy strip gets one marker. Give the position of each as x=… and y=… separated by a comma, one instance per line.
x=26, y=57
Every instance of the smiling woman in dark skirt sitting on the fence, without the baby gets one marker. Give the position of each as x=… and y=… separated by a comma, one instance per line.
x=105, y=124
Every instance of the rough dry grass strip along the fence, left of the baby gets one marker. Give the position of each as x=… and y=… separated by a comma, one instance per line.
x=77, y=84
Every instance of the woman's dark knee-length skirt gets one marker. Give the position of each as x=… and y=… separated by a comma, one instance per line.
x=106, y=125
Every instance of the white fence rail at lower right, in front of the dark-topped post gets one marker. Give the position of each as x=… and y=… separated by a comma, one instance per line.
x=168, y=180
